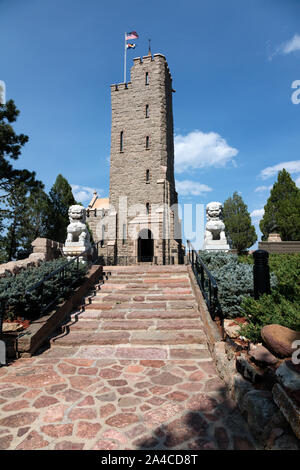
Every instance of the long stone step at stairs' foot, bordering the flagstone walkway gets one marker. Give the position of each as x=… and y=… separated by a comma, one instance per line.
x=109, y=337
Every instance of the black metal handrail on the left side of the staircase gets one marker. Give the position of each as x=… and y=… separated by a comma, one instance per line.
x=61, y=270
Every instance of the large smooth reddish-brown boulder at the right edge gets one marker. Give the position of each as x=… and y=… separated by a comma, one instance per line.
x=279, y=339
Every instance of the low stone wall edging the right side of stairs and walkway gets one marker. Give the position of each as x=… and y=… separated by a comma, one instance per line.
x=272, y=416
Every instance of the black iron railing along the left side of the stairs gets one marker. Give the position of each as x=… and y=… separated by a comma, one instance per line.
x=90, y=256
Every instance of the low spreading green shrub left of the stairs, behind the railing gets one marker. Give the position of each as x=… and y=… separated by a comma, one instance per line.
x=13, y=288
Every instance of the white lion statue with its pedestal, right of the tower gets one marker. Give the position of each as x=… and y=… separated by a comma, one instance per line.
x=215, y=238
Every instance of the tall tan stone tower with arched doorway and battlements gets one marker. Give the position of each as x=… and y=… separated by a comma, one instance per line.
x=142, y=221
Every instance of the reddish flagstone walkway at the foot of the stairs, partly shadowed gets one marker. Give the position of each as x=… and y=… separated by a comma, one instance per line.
x=122, y=396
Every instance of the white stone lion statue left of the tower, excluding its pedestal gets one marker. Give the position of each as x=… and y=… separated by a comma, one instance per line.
x=77, y=231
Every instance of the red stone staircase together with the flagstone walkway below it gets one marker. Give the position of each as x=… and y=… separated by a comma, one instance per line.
x=86, y=393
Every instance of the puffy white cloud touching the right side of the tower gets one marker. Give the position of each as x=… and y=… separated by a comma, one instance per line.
x=199, y=149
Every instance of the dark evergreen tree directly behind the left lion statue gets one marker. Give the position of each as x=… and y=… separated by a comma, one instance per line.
x=61, y=198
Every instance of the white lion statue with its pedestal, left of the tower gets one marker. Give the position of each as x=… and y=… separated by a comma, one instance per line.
x=78, y=237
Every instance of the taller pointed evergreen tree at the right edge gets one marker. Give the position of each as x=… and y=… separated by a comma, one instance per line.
x=282, y=211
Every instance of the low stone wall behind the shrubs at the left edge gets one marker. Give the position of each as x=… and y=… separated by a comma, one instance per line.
x=43, y=250
